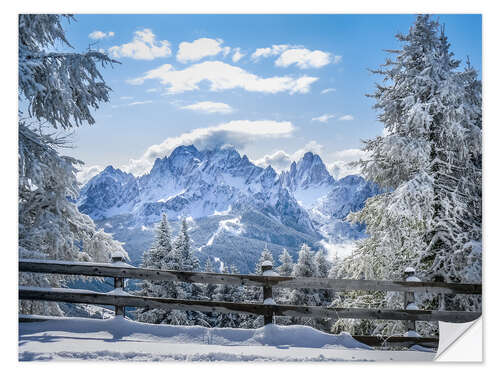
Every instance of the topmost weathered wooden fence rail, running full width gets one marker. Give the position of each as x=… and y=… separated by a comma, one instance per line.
x=103, y=270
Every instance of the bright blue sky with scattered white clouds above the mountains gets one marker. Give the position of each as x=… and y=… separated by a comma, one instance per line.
x=215, y=79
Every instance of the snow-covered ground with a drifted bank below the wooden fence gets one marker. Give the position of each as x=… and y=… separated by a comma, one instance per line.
x=123, y=339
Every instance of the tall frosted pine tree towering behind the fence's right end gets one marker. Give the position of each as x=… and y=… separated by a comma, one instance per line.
x=429, y=161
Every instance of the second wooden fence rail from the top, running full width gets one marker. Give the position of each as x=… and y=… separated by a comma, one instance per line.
x=70, y=296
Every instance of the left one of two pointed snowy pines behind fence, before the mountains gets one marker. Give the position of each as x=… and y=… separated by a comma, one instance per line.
x=160, y=256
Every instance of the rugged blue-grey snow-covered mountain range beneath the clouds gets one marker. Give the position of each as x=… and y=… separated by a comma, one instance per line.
x=234, y=207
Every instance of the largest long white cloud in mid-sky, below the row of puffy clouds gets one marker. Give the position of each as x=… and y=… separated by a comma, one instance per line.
x=222, y=76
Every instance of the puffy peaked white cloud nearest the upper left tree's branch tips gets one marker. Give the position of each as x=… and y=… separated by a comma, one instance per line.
x=143, y=46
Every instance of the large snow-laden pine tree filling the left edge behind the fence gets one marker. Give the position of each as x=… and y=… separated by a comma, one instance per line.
x=50, y=225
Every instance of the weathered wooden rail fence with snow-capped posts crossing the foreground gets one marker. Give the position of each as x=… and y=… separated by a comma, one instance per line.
x=120, y=271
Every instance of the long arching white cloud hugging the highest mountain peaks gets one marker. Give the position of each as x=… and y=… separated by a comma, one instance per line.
x=235, y=133
